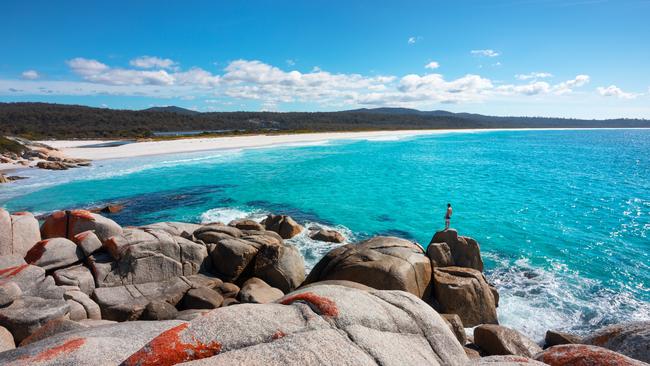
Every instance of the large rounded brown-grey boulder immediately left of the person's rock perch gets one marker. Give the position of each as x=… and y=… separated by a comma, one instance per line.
x=383, y=263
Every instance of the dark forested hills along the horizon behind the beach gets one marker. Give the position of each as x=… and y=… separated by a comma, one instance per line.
x=44, y=120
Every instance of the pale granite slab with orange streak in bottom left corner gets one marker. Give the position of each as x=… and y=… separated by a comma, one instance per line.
x=92, y=346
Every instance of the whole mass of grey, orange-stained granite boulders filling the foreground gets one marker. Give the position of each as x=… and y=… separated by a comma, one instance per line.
x=78, y=289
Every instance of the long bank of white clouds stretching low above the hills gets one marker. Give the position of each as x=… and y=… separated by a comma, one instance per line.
x=271, y=85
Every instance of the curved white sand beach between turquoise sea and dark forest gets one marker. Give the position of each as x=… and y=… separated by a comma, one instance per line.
x=76, y=149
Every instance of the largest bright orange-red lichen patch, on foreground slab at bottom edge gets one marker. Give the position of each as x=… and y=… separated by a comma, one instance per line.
x=169, y=349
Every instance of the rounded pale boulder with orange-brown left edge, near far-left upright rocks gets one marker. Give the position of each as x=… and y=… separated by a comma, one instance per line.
x=54, y=253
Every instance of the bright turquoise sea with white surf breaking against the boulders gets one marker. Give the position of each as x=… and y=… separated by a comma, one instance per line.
x=563, y=217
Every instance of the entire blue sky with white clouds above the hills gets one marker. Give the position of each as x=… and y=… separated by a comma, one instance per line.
x=560, y=58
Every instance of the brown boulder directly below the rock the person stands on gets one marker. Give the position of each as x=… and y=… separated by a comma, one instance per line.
x=464, y=291
